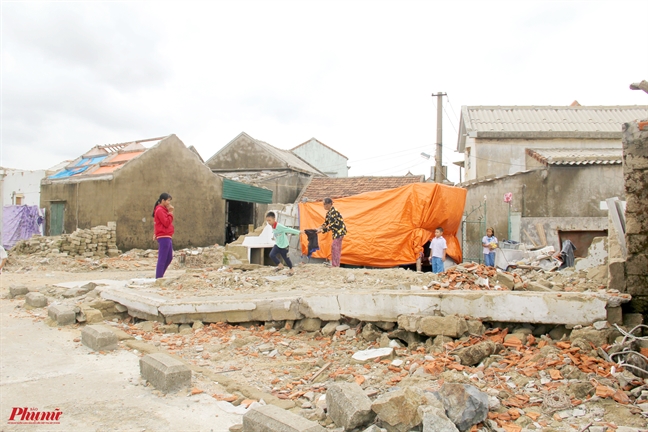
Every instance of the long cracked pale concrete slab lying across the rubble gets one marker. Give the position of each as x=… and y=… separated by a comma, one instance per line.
x=570, y=308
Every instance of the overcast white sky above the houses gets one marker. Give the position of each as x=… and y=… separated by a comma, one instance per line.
x=357, y=75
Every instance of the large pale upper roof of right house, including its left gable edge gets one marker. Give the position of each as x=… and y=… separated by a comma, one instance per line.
x=533, y=122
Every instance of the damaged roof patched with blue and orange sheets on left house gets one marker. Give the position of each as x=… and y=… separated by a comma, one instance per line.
x=104, y=159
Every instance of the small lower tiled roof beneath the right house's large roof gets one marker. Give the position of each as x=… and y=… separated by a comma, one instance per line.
x=582, y=156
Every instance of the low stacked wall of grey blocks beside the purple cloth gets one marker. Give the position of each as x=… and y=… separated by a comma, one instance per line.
x=96, y=242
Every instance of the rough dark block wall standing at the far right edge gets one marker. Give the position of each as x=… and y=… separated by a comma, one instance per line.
x=635, y=172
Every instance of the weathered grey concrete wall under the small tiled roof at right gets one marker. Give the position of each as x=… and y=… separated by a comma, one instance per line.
x=561, y=198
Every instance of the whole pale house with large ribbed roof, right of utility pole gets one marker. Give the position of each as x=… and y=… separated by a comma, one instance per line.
x=558, y=163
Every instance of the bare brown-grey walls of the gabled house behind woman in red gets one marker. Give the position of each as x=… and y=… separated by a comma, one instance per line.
x=128, y=196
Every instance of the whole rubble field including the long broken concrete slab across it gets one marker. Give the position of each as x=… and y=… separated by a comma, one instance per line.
x=473, y=348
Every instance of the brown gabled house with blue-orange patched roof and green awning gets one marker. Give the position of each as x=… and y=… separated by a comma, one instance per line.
x=121, y=182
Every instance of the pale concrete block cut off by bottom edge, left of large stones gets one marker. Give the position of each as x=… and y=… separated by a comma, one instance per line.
x=270, y=418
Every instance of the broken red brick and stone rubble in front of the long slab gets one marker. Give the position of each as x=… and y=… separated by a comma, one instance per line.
x=351, y=374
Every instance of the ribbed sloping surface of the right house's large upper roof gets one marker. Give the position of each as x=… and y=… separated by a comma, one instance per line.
x=551, y=118
